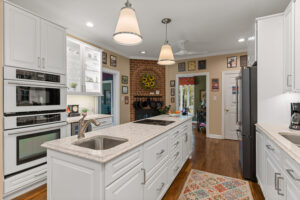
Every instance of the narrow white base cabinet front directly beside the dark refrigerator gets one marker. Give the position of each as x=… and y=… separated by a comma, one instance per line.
x=260, y=158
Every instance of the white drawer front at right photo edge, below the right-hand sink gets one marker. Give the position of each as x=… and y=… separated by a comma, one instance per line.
x=292, y=171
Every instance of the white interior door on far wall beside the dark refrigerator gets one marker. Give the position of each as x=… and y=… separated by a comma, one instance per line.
x=230, y=105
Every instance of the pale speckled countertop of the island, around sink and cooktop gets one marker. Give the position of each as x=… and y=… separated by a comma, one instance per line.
x=136, y=134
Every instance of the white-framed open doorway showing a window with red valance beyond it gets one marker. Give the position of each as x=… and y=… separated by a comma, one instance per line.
x=192, y=95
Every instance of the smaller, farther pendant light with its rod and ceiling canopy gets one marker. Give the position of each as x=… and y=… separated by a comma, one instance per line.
x=166, y=54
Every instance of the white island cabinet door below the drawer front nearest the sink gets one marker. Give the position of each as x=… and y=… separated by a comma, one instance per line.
x=129, y=186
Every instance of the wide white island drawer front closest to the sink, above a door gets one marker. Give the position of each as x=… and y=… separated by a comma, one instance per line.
x=119, y=166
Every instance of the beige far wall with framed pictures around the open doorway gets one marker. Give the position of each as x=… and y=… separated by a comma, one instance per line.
x=215, y=65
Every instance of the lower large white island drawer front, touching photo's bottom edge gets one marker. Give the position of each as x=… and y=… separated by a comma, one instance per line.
x=156, y=187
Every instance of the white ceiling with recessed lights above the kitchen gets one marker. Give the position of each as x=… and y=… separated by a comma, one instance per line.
x=210, y=26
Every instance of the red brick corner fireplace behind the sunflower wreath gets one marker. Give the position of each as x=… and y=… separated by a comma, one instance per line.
x=138, y=68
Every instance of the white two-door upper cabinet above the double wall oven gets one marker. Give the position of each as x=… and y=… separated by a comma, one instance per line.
x=33, y=43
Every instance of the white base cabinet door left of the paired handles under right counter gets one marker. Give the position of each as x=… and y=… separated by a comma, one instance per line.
x=272, y=174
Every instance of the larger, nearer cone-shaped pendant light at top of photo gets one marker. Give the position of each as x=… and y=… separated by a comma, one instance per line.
x=127, y=30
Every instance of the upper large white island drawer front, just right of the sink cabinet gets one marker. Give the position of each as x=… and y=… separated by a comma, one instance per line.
x=155, y=151
